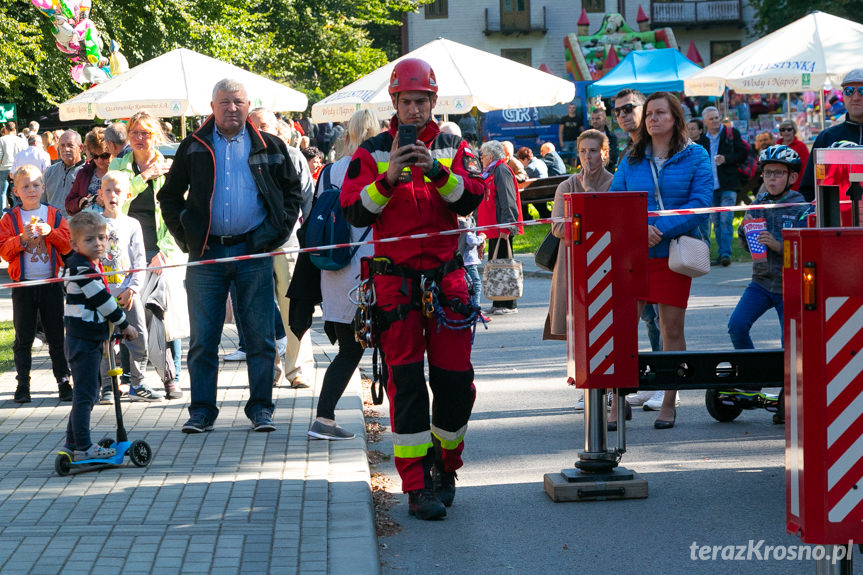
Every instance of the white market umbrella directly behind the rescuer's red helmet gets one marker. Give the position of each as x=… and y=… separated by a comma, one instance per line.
x=466, y=78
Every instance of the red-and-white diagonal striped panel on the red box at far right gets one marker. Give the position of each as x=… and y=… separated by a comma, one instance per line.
x=843, y=357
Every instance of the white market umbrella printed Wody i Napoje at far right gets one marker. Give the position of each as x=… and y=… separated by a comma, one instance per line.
x=814, y=51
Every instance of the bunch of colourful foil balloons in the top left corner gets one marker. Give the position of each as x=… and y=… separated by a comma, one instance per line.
x=78, y=38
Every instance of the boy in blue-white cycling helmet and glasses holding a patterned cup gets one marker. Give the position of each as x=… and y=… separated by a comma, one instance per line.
x=780, y=167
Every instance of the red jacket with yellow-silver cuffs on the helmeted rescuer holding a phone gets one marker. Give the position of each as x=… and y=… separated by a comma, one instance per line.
x=417, y=205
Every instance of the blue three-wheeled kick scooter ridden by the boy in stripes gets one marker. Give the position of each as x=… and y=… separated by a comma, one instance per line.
x=139, y=451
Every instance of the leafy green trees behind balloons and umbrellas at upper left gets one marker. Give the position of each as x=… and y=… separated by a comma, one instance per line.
x=316, y=46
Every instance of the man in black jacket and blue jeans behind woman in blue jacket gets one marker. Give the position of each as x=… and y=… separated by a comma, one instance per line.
x=727, y=151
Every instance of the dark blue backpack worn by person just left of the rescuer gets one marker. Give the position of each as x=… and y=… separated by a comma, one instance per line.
x=327, y=226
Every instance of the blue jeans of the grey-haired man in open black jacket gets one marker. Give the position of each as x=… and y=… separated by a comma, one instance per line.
x=207, y=291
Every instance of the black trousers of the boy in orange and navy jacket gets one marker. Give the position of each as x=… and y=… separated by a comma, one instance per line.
x=46, y=301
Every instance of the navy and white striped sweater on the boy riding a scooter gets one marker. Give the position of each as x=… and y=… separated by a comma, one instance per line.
x=89, y=304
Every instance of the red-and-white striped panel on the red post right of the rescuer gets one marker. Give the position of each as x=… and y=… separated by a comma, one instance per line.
x=600, y=313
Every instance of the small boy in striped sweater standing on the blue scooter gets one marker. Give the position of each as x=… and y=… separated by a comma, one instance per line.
x=89, y=308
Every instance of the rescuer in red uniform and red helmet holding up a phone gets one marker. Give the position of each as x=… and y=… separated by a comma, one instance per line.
x=422, y=300
